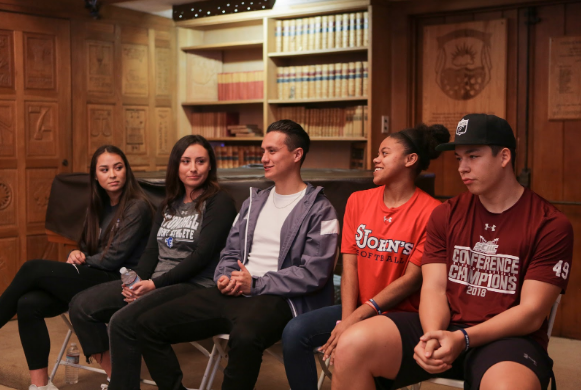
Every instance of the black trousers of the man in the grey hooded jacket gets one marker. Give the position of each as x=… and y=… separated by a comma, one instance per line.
x=254, y=324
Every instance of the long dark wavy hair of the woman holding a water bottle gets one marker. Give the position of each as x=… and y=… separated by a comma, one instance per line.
x=174, y=188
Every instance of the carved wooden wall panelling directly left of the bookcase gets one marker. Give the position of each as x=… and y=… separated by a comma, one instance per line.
x=125, y=93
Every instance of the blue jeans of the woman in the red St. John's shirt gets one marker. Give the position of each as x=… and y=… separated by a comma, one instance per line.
x=300, y=337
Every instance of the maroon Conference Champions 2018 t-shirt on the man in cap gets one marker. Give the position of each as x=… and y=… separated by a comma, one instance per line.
x=489, y=256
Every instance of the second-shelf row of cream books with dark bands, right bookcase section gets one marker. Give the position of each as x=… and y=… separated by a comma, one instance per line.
x=322, y=81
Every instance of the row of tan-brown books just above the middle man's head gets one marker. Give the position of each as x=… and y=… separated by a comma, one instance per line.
x=328, y=122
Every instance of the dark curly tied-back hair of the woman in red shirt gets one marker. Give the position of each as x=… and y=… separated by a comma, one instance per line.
x=422, y=140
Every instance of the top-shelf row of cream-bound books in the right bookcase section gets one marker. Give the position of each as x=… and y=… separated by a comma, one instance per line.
x=322, y=32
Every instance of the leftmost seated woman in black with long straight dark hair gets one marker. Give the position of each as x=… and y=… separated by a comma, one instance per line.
x=114, y=235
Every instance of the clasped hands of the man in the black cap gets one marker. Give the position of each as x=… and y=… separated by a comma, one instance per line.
x=437, y=350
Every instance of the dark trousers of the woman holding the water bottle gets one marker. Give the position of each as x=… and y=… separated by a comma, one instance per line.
x=91, y=310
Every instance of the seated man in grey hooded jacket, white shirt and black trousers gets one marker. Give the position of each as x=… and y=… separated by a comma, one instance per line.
x=277, y=263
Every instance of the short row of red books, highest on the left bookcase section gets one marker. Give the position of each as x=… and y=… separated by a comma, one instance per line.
x=241, y=85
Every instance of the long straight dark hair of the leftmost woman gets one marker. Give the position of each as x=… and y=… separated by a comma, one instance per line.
x=99, y=198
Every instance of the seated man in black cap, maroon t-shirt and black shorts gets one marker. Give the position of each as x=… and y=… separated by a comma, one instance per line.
x=495, y=260
